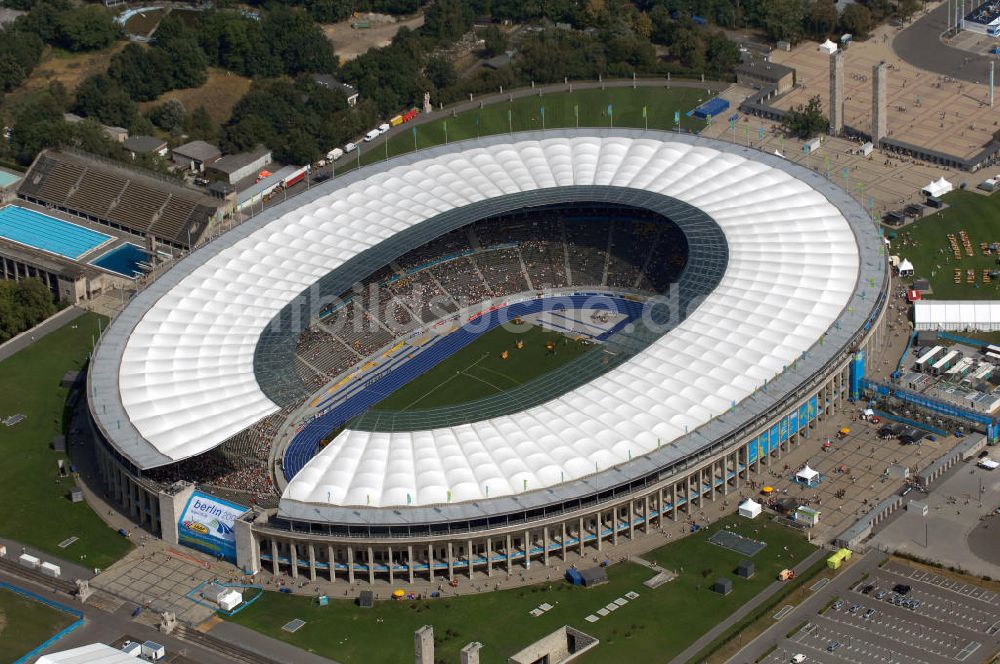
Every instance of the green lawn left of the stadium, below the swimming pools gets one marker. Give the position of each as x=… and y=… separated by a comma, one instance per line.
x=37, y=509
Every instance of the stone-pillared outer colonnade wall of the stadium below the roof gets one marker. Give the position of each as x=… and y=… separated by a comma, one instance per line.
x=560, y=535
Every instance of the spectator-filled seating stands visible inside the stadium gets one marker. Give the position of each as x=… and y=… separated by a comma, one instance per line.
x=489, y=259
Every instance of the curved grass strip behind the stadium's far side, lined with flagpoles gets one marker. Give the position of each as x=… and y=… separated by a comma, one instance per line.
x=525, y=114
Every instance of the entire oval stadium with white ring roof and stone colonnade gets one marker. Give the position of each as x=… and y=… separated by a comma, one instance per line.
x=488, y=353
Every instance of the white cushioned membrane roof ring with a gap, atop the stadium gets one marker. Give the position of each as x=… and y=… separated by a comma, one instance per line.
x=187, y=378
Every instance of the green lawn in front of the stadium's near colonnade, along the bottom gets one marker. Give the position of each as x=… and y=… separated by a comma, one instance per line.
x=655, y=627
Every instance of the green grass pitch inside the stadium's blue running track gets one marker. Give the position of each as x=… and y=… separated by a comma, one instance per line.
x=477, y=370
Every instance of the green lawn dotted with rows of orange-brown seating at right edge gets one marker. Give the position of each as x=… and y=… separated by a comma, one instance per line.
x=925, y=244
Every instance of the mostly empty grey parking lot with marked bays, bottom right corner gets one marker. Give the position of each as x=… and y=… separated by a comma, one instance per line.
x=932, y=619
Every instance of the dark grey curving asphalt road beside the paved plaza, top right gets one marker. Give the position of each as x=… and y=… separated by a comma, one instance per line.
x=920, y=45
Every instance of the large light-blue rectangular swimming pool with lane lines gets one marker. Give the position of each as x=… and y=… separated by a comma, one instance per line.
x=48, y=233
